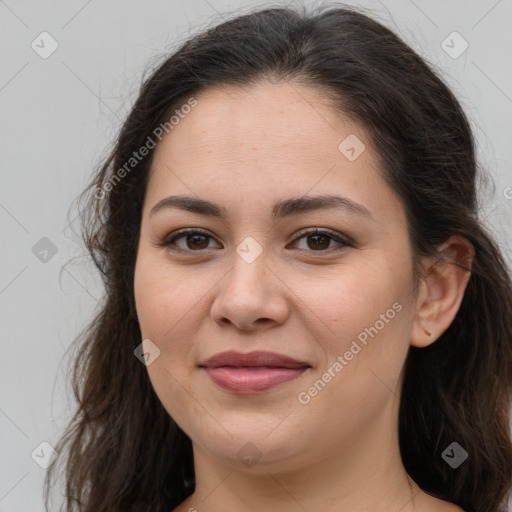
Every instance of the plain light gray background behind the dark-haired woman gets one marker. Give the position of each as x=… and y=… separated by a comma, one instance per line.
x=58, y=116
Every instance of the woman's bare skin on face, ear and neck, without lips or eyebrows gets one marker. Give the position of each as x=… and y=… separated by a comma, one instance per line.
x=246, y=149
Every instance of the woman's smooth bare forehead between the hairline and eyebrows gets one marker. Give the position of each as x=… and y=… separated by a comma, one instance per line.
x=269, y=140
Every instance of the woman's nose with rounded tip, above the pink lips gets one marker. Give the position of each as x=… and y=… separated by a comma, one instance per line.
x=250, y=297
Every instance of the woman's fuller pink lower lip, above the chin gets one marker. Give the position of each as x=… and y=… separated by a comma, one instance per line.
x=251, y=380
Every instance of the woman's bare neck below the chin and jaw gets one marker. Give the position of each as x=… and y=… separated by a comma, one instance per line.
x=364, y=474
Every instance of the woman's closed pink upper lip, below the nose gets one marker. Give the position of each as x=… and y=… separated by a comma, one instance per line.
x=252, y=359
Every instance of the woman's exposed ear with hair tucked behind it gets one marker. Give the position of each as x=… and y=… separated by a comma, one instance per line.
x=441, y=290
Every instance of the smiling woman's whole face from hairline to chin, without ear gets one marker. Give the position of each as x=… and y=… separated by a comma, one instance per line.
x=260, y=279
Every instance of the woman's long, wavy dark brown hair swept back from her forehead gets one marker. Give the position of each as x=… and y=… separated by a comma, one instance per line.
x=122, y=450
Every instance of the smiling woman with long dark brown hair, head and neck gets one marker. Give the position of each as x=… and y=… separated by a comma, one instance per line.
x=303, y=310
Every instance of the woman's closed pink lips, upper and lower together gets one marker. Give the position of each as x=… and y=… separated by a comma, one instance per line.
x=252, y=373
